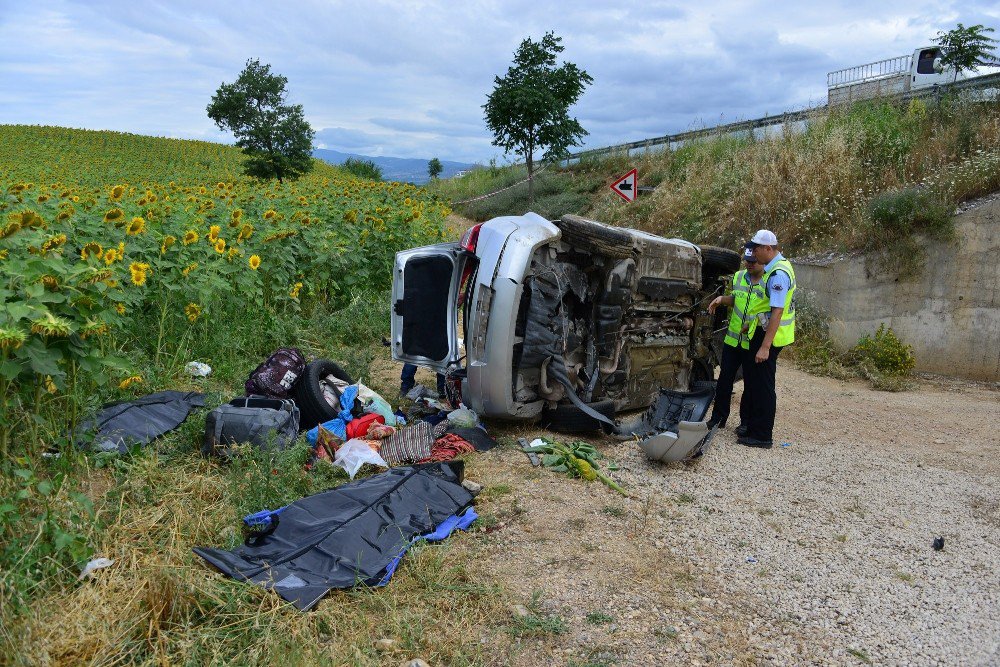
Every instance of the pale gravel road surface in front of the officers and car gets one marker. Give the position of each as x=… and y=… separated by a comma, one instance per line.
x=818, y=552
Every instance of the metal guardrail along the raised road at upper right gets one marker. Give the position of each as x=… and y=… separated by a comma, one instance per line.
x=985, y=81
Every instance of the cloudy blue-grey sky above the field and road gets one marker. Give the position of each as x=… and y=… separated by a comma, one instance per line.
x=408, y=79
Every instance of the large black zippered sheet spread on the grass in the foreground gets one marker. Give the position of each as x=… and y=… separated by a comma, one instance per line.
x=348, y=535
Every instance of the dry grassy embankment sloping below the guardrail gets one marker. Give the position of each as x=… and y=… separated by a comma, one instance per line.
x=867, y=177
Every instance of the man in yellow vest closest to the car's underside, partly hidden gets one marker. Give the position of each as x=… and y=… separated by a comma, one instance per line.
x=745, y=288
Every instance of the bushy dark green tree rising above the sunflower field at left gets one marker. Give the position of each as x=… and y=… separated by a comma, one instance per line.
x=275, y=137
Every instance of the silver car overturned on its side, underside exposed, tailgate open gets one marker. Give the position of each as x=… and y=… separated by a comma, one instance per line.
x=571, y=321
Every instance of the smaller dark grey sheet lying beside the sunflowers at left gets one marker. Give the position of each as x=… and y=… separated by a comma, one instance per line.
x=118, y=426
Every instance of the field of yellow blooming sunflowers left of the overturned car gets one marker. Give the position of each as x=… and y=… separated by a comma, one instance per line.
x=120, y=251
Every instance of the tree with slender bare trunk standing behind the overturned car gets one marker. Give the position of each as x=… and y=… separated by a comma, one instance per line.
x=528, y=109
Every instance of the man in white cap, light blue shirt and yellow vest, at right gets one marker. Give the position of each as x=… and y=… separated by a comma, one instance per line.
x=771, y=329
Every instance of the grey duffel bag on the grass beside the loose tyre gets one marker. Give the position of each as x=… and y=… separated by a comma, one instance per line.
x=263, y=422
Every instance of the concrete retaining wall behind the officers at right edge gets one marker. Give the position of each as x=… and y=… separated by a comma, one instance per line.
x=950, y=313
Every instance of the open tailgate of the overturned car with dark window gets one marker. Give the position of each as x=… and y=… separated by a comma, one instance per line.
x=425, y=291
